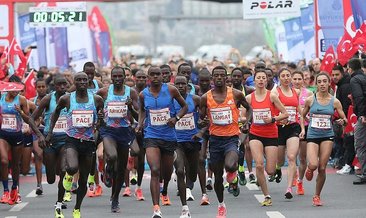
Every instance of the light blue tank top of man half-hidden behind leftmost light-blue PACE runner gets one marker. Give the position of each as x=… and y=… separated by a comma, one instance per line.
x=61, y=124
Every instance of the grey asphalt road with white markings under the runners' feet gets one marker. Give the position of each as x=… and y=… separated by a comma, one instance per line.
x=341, y=199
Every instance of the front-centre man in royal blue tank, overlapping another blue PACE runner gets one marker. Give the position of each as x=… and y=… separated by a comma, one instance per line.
x=156, y=105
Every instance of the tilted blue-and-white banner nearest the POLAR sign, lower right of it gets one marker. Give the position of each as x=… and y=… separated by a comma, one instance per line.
x=294, y=38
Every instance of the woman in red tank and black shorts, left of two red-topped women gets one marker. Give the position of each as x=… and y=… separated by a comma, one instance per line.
x=263, y=131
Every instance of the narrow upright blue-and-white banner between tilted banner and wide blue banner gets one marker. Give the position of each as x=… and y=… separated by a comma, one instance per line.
x=307, y=23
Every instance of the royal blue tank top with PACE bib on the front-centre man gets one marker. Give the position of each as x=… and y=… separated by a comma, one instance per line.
x=158, y=111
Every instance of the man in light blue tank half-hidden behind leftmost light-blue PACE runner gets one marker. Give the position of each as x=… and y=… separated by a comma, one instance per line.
x=53, y=155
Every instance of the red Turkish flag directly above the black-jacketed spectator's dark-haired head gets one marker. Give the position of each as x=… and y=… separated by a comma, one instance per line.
x=345, y=49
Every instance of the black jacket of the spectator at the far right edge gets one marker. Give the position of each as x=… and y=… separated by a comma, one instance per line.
x=358, y=90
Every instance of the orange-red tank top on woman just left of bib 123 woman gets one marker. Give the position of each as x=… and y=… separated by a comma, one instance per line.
x=290, y=104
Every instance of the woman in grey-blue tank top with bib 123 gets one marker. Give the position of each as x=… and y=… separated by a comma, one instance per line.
x=320, y=134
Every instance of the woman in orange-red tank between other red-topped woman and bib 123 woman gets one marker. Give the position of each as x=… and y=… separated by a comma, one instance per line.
x=288, y=130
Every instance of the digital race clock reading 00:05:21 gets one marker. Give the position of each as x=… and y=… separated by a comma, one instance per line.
x=56, y=16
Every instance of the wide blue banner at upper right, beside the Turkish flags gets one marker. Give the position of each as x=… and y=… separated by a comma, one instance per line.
x=330, y=24
